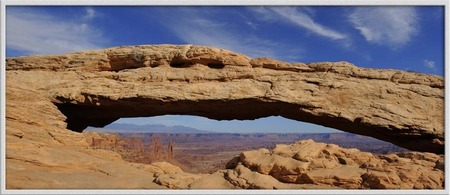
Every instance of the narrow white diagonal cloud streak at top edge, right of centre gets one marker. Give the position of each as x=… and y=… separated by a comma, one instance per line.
x=300, y=17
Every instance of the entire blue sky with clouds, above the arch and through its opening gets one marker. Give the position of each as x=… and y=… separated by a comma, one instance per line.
x=404, y=38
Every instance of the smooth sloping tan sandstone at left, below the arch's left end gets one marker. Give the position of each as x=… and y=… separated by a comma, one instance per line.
x=48, y=156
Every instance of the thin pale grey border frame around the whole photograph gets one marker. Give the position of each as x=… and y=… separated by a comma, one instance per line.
x=5, y=3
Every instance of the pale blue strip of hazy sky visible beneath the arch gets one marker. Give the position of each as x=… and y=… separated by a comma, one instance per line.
x=273, y=124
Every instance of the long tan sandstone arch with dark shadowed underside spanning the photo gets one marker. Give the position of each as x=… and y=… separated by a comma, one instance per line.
x=95, y=88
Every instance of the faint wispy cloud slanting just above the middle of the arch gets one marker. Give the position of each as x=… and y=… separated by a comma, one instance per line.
x=195, y=28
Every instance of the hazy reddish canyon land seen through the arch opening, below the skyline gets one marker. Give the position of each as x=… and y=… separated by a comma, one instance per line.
x=210, y=152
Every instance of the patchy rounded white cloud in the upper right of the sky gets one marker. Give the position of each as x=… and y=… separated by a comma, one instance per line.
x=391, y=26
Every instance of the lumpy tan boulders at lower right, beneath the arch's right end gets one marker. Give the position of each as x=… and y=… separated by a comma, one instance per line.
x=328, y=165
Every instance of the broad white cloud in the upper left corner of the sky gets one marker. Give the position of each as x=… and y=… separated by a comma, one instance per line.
x=36, y=32
